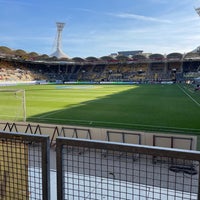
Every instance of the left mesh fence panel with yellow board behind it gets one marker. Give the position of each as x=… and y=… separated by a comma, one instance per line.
x=24, y=166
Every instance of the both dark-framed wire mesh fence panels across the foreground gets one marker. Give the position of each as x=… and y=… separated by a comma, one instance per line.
x=89, y=169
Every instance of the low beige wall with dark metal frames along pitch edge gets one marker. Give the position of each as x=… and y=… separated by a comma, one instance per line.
x=171, y=140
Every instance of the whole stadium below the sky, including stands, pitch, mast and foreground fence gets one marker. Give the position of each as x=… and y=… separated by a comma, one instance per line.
x=122, y=126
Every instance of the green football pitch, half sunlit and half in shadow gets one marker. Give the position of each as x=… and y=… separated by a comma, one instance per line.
x=168, y=108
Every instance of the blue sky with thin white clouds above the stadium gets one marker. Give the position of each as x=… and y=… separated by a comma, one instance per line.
x=100, y=27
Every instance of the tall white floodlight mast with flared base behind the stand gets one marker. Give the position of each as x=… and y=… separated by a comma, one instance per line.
x=59, y=53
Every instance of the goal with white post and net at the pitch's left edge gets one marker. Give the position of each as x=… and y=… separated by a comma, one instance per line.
x=12, y=105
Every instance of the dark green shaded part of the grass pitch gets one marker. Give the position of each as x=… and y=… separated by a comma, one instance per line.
x=146, y=107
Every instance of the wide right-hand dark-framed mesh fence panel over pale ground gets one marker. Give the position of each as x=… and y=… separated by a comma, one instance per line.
x=106, y=170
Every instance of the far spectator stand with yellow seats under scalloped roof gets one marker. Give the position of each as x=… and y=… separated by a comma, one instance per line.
x=136, y=68
